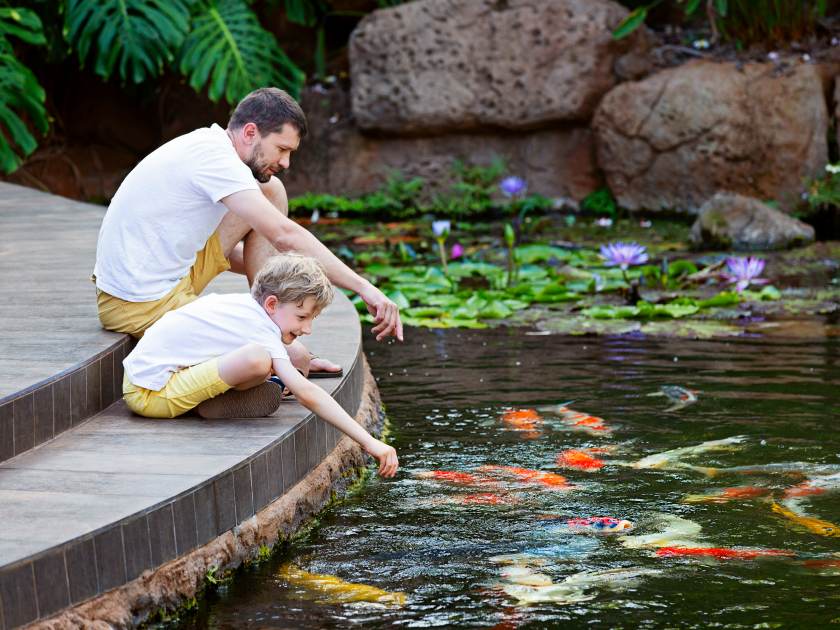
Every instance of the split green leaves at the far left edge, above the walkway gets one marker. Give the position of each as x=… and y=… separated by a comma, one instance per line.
x=21, y=96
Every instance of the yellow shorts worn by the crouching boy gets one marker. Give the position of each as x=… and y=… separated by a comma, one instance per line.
x=185, y=389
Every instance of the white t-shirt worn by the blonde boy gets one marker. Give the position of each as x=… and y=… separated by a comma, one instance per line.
x=205, y=328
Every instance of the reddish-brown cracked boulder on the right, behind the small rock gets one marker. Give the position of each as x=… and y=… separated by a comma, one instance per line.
x=673, y=139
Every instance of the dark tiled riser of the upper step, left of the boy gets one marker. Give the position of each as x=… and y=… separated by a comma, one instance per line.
x=42, y=411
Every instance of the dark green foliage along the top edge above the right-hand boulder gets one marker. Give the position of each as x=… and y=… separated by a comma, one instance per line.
x=743, y=21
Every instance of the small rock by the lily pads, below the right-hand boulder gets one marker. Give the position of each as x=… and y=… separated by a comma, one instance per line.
x=732, y=221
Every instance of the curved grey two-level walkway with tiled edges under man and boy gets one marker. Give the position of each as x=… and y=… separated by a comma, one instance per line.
x=107, y=494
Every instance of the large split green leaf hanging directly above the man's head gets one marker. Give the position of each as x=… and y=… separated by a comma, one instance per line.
x=229, y=53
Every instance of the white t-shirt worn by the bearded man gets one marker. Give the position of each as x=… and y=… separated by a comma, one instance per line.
x=164, y=212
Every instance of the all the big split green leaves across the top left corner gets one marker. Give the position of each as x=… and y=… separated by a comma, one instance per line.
x=218, y=45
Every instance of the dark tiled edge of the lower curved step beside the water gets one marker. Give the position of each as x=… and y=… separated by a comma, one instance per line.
x=41, y=585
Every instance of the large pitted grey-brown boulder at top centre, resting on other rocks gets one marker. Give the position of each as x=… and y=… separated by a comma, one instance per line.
x=455, y=65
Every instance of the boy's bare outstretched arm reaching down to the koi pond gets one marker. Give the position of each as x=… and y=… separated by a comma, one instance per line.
x=316, y=399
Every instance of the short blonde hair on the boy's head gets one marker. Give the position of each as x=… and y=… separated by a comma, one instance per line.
x=293, y=278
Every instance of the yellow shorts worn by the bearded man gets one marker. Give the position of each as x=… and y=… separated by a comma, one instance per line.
x=134, y=318
